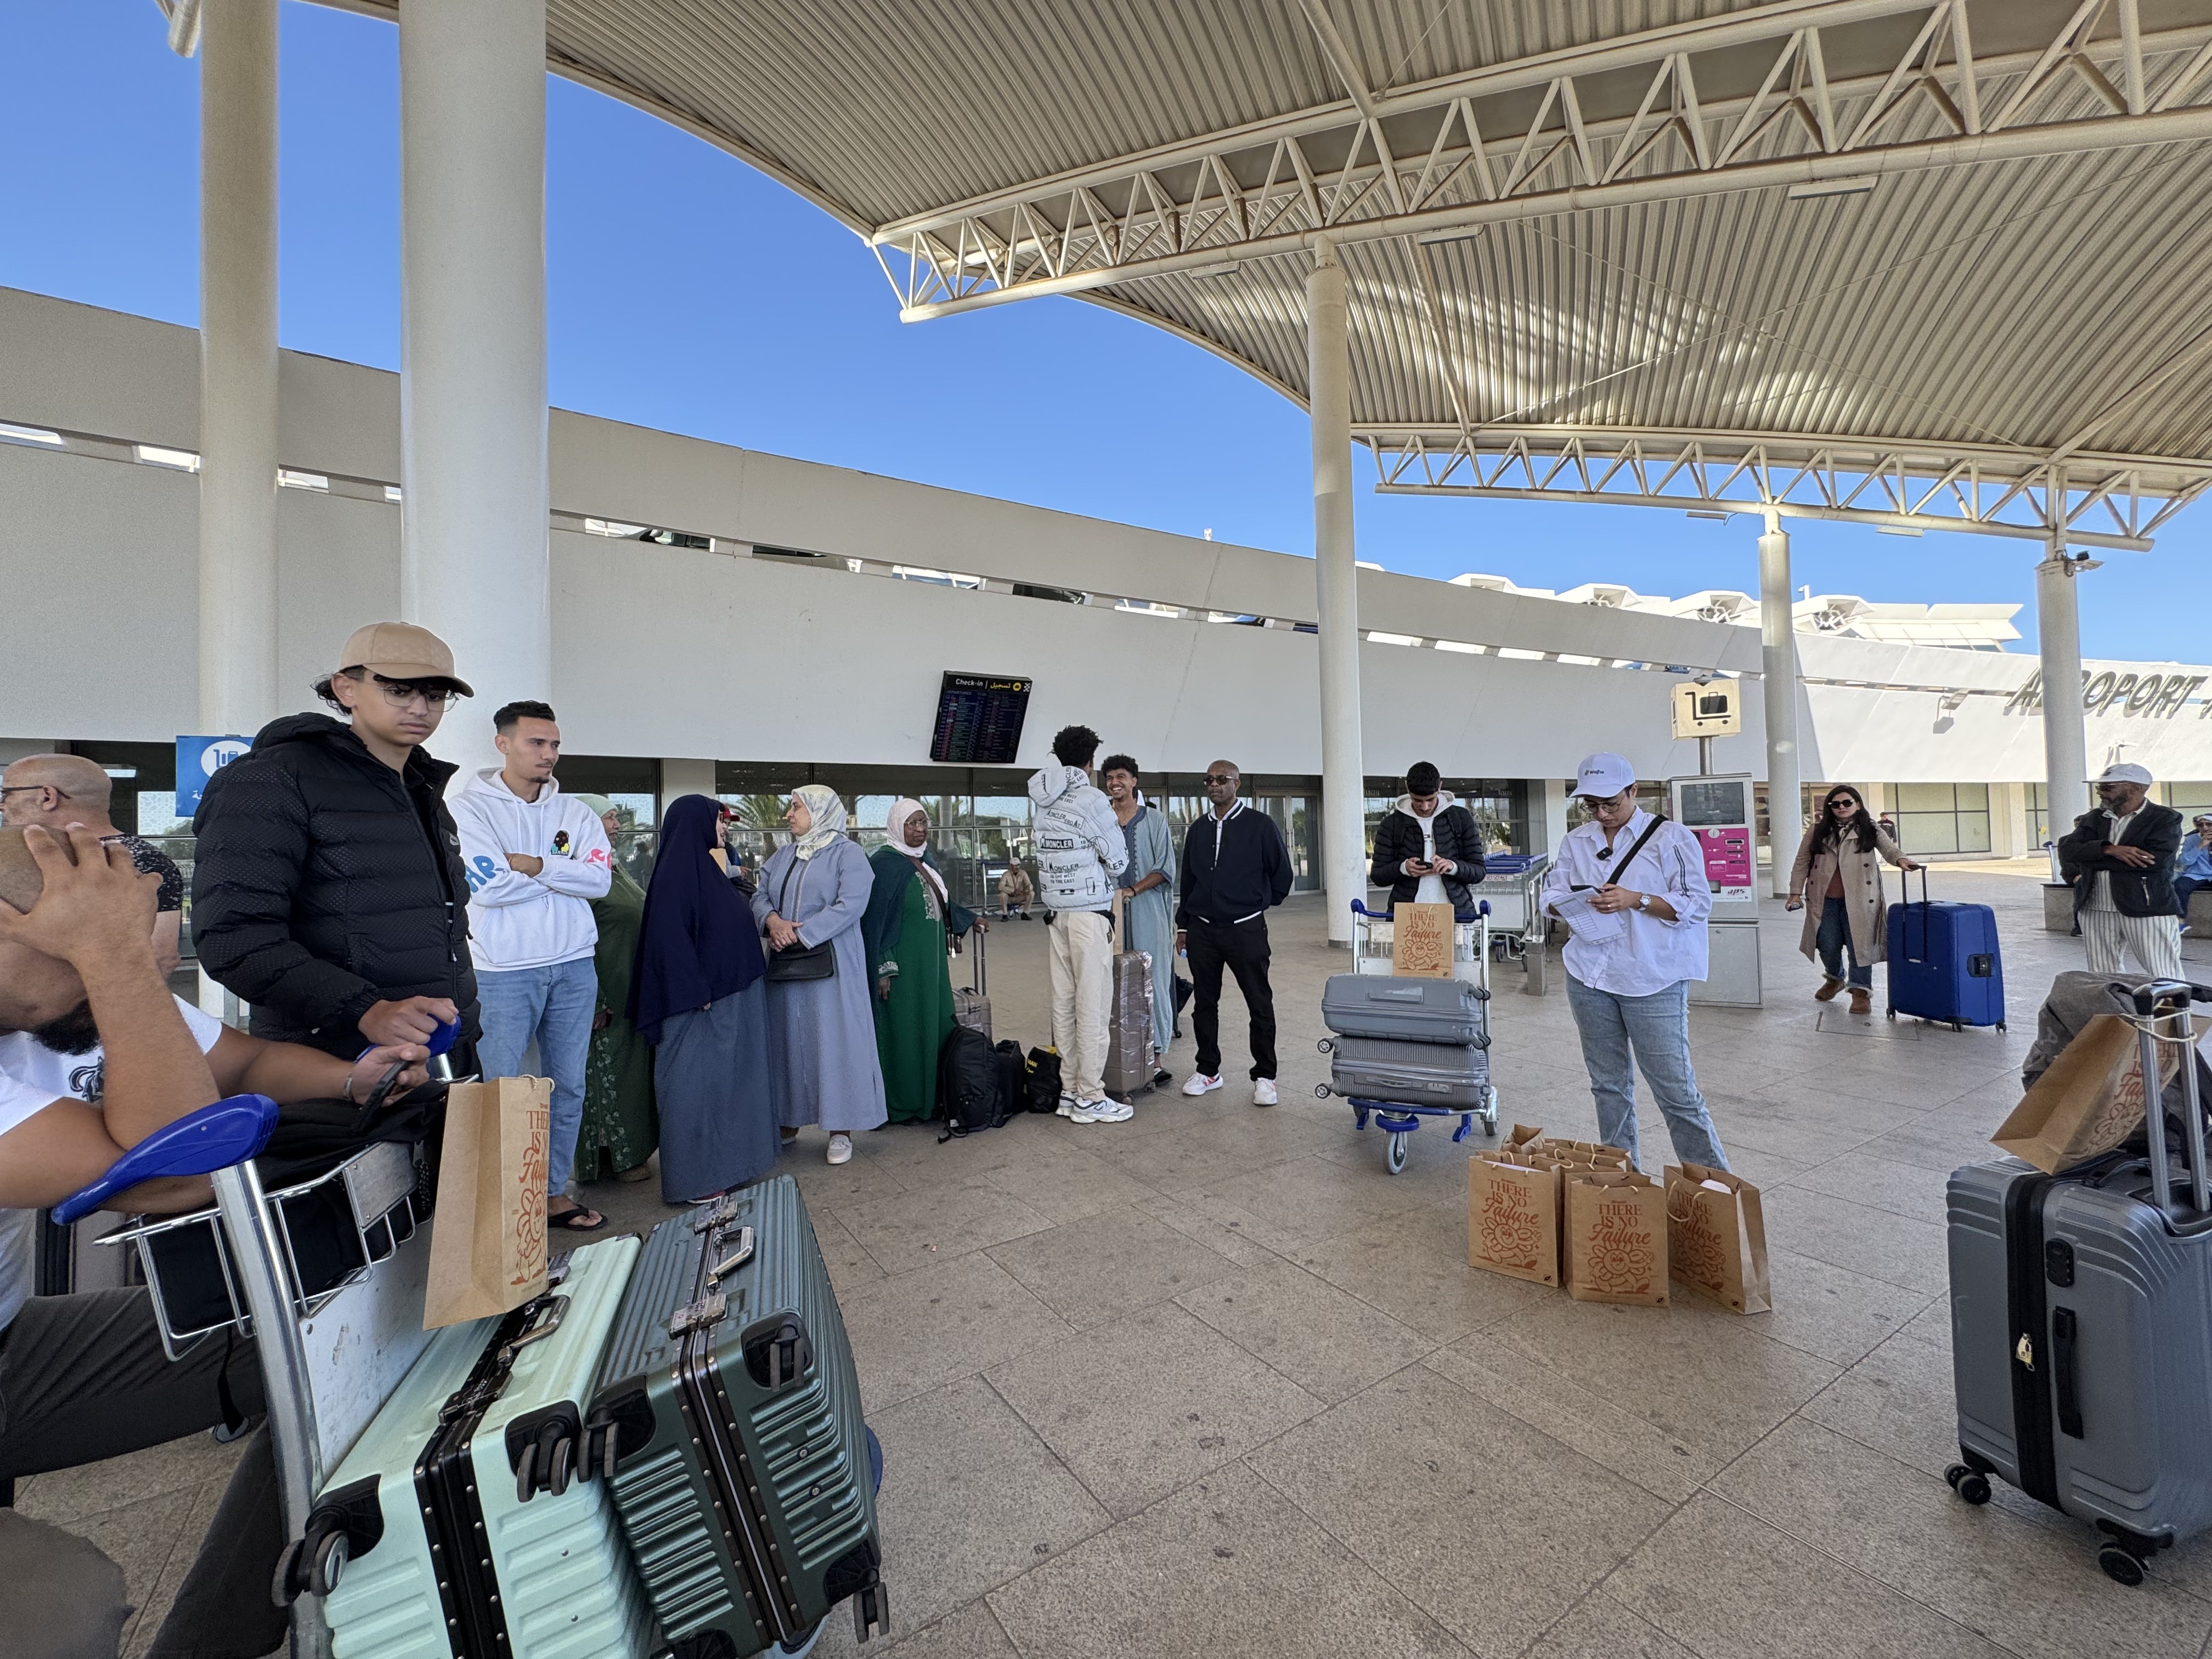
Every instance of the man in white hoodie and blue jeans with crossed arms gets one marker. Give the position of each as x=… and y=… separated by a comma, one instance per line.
x=536, y=859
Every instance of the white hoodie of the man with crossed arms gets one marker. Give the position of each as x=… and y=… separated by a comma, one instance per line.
x=530, y=921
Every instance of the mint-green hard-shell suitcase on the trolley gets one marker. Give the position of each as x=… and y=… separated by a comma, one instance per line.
x=466, y=1525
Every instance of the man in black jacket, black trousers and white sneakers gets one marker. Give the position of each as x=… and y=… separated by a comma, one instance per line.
x=1235, y=870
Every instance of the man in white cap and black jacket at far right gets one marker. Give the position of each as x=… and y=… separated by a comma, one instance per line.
x=2120, y=862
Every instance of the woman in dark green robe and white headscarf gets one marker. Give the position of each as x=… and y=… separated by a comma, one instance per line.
x=910, y=919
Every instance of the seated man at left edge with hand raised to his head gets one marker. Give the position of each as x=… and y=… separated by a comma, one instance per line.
x=94, y=1058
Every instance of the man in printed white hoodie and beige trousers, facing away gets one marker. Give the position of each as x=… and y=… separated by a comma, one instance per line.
x=1081, y=853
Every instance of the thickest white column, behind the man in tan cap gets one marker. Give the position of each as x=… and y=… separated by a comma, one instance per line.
x=474, y=353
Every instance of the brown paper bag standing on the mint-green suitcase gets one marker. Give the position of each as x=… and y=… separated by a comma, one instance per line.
x=488, y=1246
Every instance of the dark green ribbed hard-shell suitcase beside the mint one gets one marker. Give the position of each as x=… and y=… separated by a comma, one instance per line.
x=729, y=1423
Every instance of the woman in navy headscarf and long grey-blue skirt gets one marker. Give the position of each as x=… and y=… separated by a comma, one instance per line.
x=700, y=1001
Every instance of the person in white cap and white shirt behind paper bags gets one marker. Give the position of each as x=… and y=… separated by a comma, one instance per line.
x=1634, y=888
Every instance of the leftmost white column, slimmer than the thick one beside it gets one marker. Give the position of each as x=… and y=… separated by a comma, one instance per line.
x=238, y=366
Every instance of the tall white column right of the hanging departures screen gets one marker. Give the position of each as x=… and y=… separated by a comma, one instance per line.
x=1344, y=784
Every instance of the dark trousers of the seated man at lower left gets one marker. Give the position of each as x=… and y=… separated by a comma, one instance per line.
x=85, y=1379
